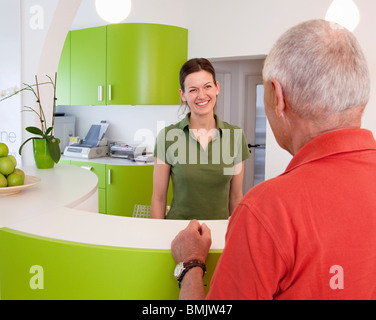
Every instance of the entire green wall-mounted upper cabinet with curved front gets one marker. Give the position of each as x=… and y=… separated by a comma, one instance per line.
x=124, y=64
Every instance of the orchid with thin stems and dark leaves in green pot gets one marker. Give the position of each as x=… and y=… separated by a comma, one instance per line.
x=43, y=132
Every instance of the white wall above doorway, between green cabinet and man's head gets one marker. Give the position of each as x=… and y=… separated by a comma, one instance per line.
x=221, y=28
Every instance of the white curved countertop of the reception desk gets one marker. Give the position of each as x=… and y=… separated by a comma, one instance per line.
x=50, y=209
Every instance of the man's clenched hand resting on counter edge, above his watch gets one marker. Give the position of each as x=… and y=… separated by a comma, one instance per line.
x=192, y=243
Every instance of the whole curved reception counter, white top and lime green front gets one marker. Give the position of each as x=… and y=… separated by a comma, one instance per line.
x=53, y=244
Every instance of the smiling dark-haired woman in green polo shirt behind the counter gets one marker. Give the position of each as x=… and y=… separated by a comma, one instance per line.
x=203, y=155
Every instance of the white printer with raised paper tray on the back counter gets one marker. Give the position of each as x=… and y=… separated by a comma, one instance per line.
x=93, y=146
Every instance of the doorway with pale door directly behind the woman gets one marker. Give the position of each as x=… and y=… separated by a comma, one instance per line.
x=241, y=103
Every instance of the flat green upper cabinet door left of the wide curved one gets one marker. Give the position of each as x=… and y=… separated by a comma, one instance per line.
x=88, y=66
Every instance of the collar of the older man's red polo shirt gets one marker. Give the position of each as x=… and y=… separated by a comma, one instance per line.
x=335, y=142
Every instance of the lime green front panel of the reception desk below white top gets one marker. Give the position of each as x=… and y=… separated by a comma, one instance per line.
x=79, y=271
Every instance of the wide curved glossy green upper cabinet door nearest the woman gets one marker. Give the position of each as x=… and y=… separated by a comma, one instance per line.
x=143, y=63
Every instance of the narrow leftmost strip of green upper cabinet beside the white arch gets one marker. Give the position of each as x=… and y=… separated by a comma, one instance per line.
x=64, y=74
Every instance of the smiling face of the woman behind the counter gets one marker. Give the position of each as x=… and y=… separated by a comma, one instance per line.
x=200, y=92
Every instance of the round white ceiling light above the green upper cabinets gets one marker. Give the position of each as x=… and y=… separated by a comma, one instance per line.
x=113, y=11
